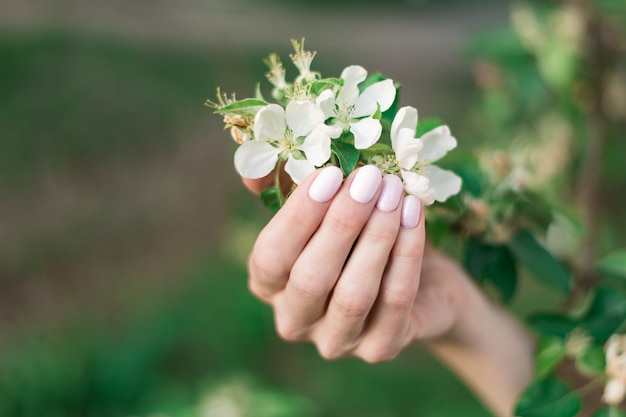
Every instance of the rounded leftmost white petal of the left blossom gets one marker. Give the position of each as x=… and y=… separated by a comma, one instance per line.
x=255, y=159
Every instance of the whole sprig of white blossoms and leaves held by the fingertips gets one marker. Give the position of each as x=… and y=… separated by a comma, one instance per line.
x=348, y=121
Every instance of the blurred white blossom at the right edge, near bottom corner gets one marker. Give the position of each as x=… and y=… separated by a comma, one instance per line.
x=615, y=388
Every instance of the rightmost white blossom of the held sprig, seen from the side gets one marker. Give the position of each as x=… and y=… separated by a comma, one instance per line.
x=415, y=157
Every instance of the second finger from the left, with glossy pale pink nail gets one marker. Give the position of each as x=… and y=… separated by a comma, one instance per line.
x=317, y=269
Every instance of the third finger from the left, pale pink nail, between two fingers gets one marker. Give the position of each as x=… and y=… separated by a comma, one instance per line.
x=359, y=284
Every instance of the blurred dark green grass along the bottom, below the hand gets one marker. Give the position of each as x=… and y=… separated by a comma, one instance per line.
x=163, y=356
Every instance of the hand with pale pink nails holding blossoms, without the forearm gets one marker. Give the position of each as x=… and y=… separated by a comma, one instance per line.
x=343, y=266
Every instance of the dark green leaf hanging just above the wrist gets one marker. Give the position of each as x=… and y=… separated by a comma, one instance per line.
x=494, y=264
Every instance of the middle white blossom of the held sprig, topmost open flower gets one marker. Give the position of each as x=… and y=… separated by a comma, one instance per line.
x=353, y=111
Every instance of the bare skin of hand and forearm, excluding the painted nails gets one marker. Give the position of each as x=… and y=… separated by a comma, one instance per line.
x=363, y=285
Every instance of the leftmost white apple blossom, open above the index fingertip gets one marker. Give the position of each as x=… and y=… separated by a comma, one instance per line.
x=297, y=134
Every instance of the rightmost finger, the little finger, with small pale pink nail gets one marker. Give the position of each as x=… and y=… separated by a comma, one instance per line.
x=388, y=329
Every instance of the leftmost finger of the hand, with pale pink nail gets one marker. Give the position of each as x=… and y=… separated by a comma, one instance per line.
x=280, y=243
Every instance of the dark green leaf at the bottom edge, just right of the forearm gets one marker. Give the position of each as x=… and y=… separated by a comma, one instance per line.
x=548, y=397
